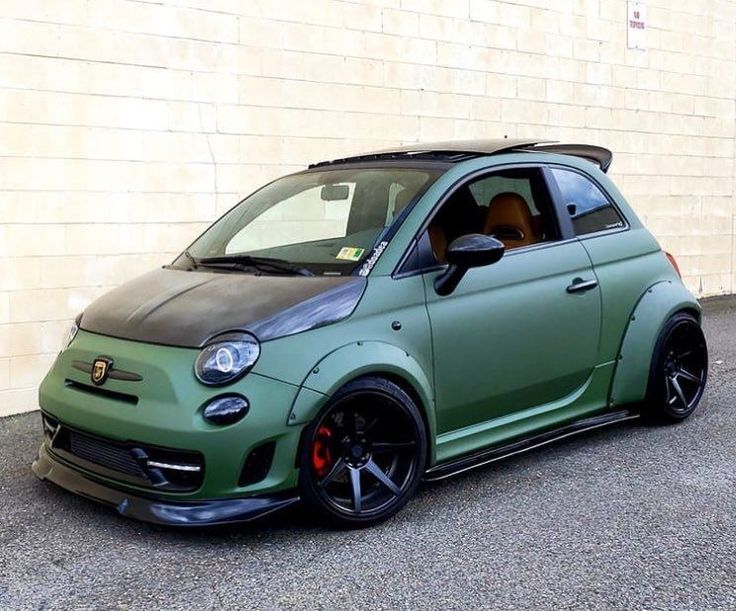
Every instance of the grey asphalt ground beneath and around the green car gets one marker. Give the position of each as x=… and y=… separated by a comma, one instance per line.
x=633, y=516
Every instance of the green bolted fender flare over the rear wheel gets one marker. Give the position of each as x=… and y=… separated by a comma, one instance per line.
x=655, y=306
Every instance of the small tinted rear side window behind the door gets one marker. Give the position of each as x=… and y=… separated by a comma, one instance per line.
x=589, y=208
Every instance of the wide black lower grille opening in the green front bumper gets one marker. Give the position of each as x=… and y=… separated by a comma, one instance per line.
x=129, y=462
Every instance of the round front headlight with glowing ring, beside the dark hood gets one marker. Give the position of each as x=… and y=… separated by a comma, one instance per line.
x=226, y=358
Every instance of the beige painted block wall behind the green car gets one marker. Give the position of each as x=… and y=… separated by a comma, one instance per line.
x=126, y=126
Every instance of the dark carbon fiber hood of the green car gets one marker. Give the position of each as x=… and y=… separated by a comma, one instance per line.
x=183, y=308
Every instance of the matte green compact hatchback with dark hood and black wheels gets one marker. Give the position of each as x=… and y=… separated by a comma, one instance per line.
x=351, y=329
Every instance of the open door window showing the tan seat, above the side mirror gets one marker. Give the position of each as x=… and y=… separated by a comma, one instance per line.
x=511, y=205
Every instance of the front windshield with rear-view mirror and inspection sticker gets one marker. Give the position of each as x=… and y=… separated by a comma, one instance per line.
x=326, y=222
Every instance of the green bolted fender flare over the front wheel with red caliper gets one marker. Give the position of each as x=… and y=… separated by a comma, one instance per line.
x=355, y=360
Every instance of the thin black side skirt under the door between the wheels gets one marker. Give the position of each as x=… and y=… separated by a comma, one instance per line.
x=489, y=455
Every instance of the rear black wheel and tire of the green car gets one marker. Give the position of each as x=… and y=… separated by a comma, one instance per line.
x=679, y=370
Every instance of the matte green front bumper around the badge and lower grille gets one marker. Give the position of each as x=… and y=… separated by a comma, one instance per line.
x=163, y=409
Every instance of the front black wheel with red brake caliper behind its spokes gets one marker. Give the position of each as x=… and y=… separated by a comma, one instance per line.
x=363, y=457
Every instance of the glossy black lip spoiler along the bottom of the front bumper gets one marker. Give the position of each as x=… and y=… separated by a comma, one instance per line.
x=156, y=511
